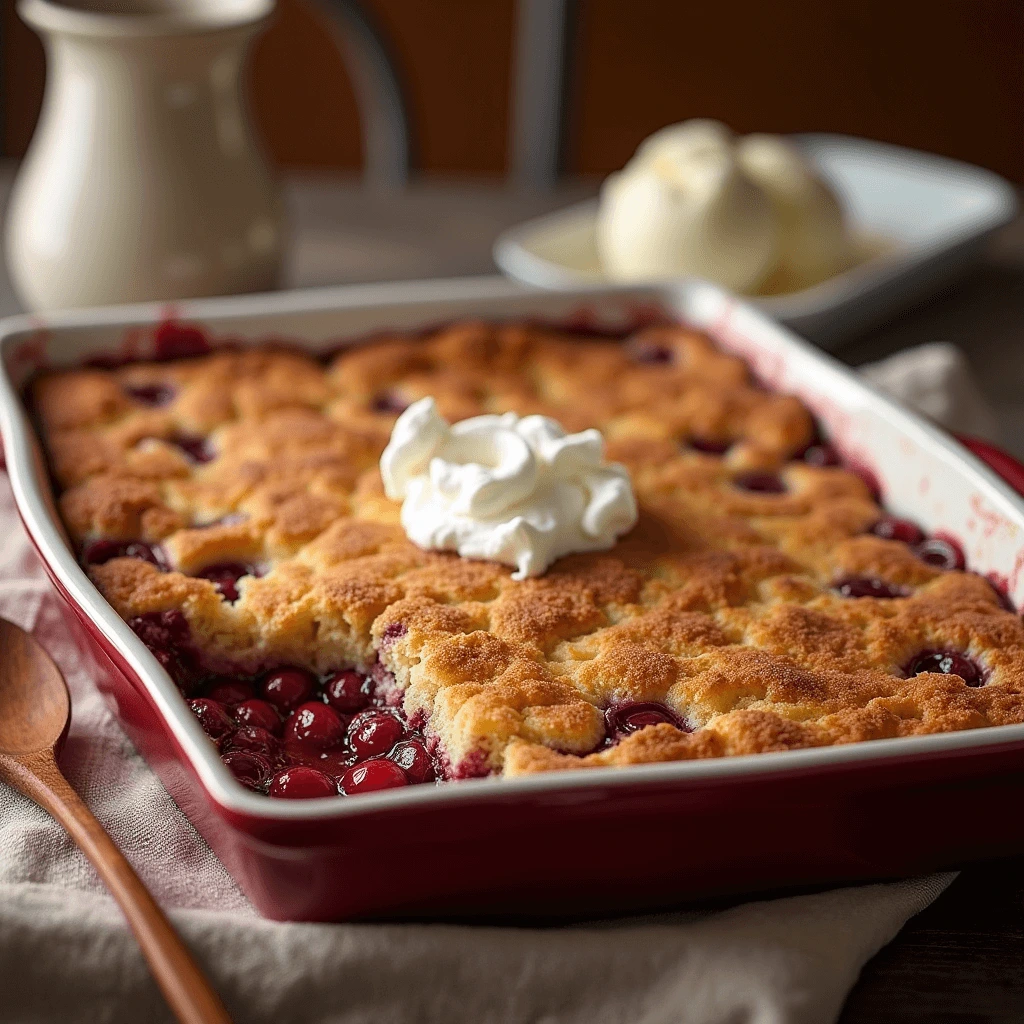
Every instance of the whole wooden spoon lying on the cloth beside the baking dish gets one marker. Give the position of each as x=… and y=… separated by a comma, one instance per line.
x=35, y=713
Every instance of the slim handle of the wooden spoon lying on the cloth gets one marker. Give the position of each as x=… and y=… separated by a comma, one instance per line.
x=184, y=985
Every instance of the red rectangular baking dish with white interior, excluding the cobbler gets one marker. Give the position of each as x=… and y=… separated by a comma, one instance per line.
x=566, y=843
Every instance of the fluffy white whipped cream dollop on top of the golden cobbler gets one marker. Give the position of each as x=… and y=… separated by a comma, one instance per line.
x=507, y=489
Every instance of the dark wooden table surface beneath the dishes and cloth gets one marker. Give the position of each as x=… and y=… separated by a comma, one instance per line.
x=961, y=961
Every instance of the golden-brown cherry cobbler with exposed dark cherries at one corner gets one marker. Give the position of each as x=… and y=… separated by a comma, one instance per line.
x=231, y=507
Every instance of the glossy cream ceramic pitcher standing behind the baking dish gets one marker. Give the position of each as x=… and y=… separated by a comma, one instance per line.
x=144, y=180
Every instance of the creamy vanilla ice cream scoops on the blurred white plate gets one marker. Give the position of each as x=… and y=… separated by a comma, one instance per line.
x=749, y=214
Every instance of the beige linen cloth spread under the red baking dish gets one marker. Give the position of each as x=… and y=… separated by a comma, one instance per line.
x=69, y=957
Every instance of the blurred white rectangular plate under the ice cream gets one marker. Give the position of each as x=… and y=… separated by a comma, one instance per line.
x=927, y=217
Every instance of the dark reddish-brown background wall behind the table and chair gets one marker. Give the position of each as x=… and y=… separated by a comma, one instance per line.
x=947, y=76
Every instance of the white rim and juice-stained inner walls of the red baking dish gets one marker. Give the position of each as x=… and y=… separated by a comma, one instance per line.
x=924, y=475
